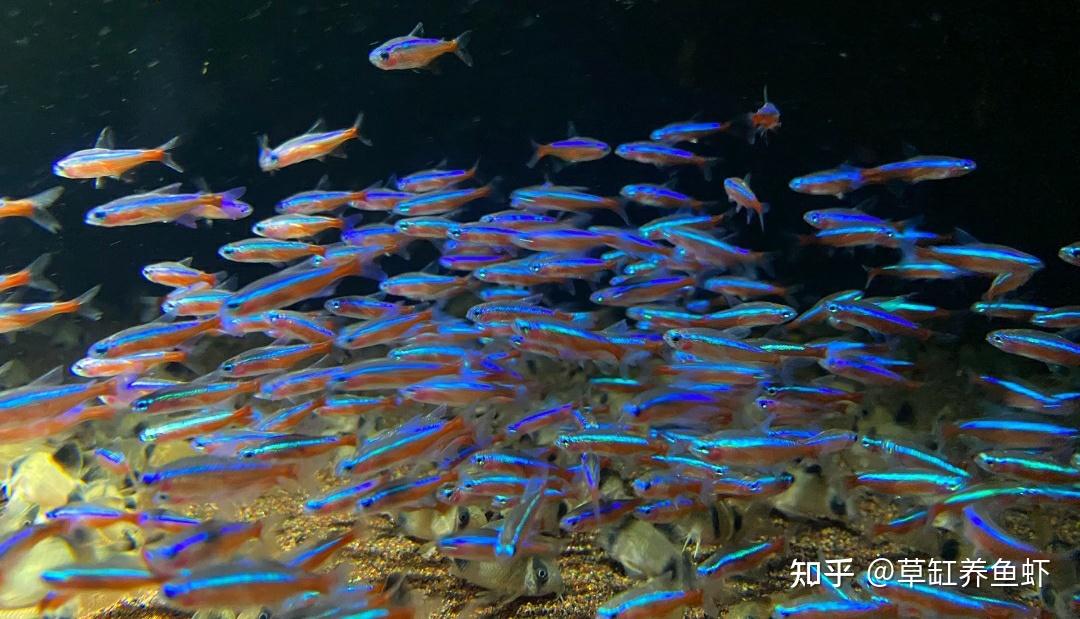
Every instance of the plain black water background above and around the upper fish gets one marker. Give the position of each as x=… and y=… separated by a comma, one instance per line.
x=991, y=82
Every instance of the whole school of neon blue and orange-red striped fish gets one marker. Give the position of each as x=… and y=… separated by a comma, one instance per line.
x=488, y=409
